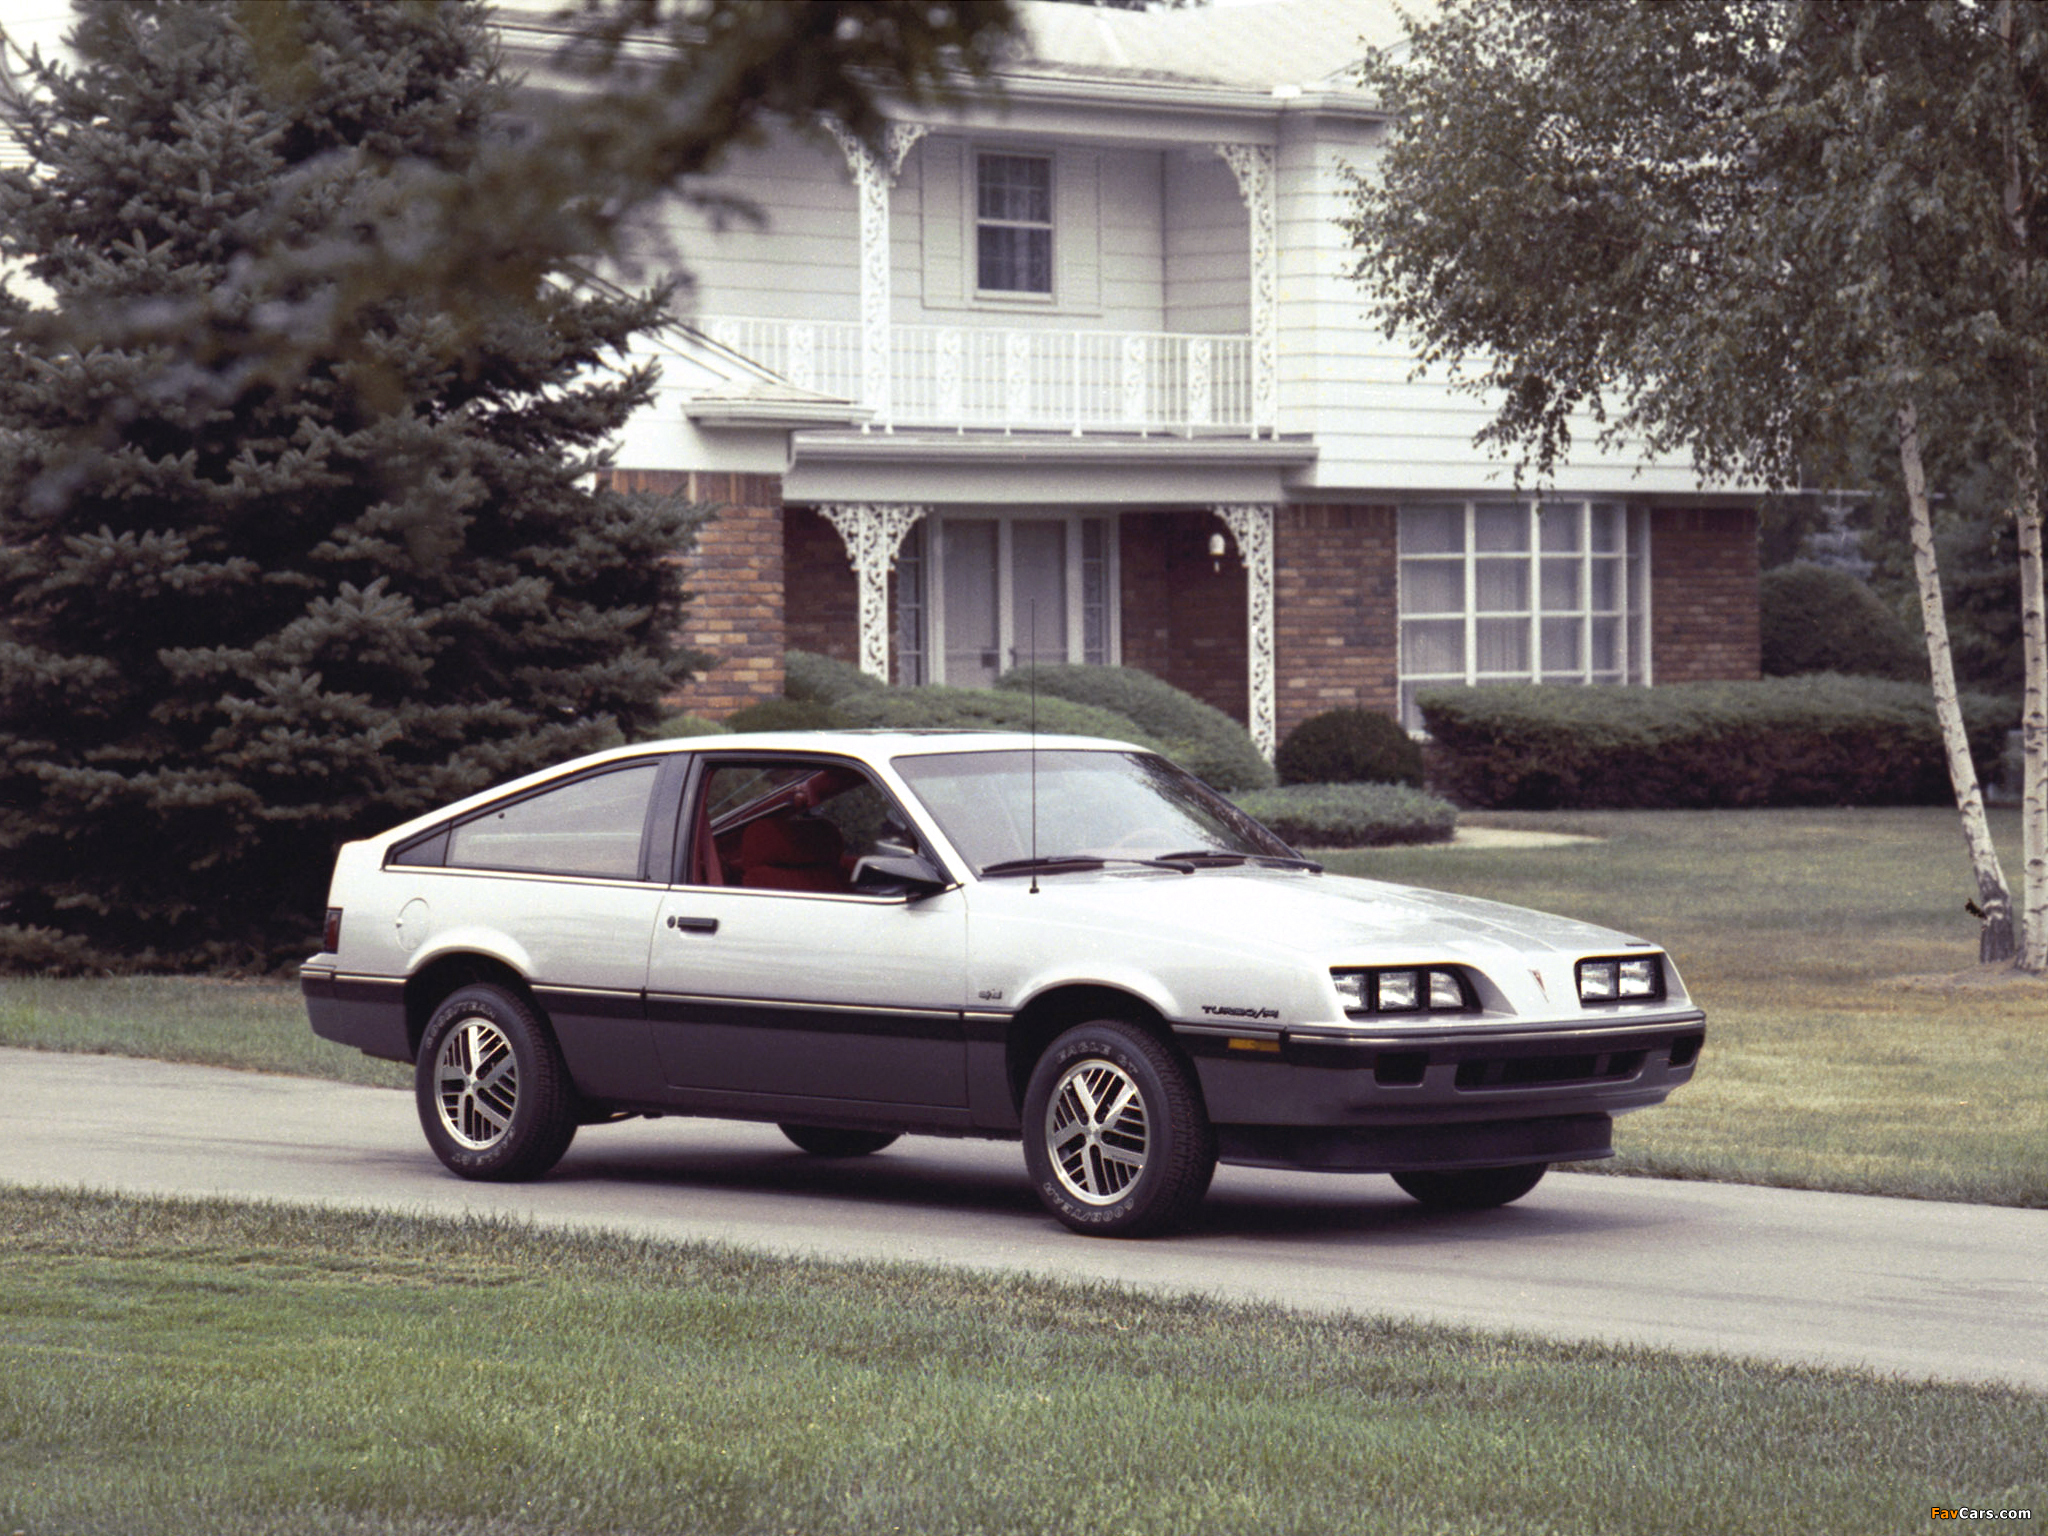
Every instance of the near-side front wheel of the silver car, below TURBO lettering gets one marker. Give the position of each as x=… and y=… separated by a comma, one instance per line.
x=1115, y=1136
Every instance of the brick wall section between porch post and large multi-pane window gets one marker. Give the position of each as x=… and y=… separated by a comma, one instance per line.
x=1336, y=611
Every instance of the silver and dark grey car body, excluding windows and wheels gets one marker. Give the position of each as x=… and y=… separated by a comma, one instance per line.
x=925, y=1013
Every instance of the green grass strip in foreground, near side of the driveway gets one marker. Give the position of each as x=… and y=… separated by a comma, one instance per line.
x=177, y=1367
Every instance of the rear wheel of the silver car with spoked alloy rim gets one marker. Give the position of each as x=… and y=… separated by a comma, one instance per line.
x=493, y=1093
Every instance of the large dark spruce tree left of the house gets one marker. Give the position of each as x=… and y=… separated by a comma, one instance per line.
x=245, y=611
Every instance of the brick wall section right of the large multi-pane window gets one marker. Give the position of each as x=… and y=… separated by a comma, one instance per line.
x=1705, y=595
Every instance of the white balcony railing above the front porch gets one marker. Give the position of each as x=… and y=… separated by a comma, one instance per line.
x=1015, y=380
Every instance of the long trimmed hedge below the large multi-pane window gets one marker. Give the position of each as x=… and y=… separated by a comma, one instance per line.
x=1818, y=740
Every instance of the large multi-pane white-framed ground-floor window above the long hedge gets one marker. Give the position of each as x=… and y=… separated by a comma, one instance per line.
x=1523, y=591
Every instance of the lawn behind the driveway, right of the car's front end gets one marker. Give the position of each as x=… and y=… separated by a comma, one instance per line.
x=1795, y=931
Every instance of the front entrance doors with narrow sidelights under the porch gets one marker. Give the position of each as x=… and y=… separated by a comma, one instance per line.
x=978, y=595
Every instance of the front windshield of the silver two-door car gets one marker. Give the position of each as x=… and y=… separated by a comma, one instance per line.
x=1091, y=806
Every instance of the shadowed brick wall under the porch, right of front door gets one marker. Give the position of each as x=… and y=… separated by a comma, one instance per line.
x=1183, y=617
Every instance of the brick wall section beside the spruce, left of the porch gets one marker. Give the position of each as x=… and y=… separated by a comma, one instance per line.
x=734, y=579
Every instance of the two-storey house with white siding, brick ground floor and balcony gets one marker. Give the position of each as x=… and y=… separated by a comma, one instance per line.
x=1080, y=374
